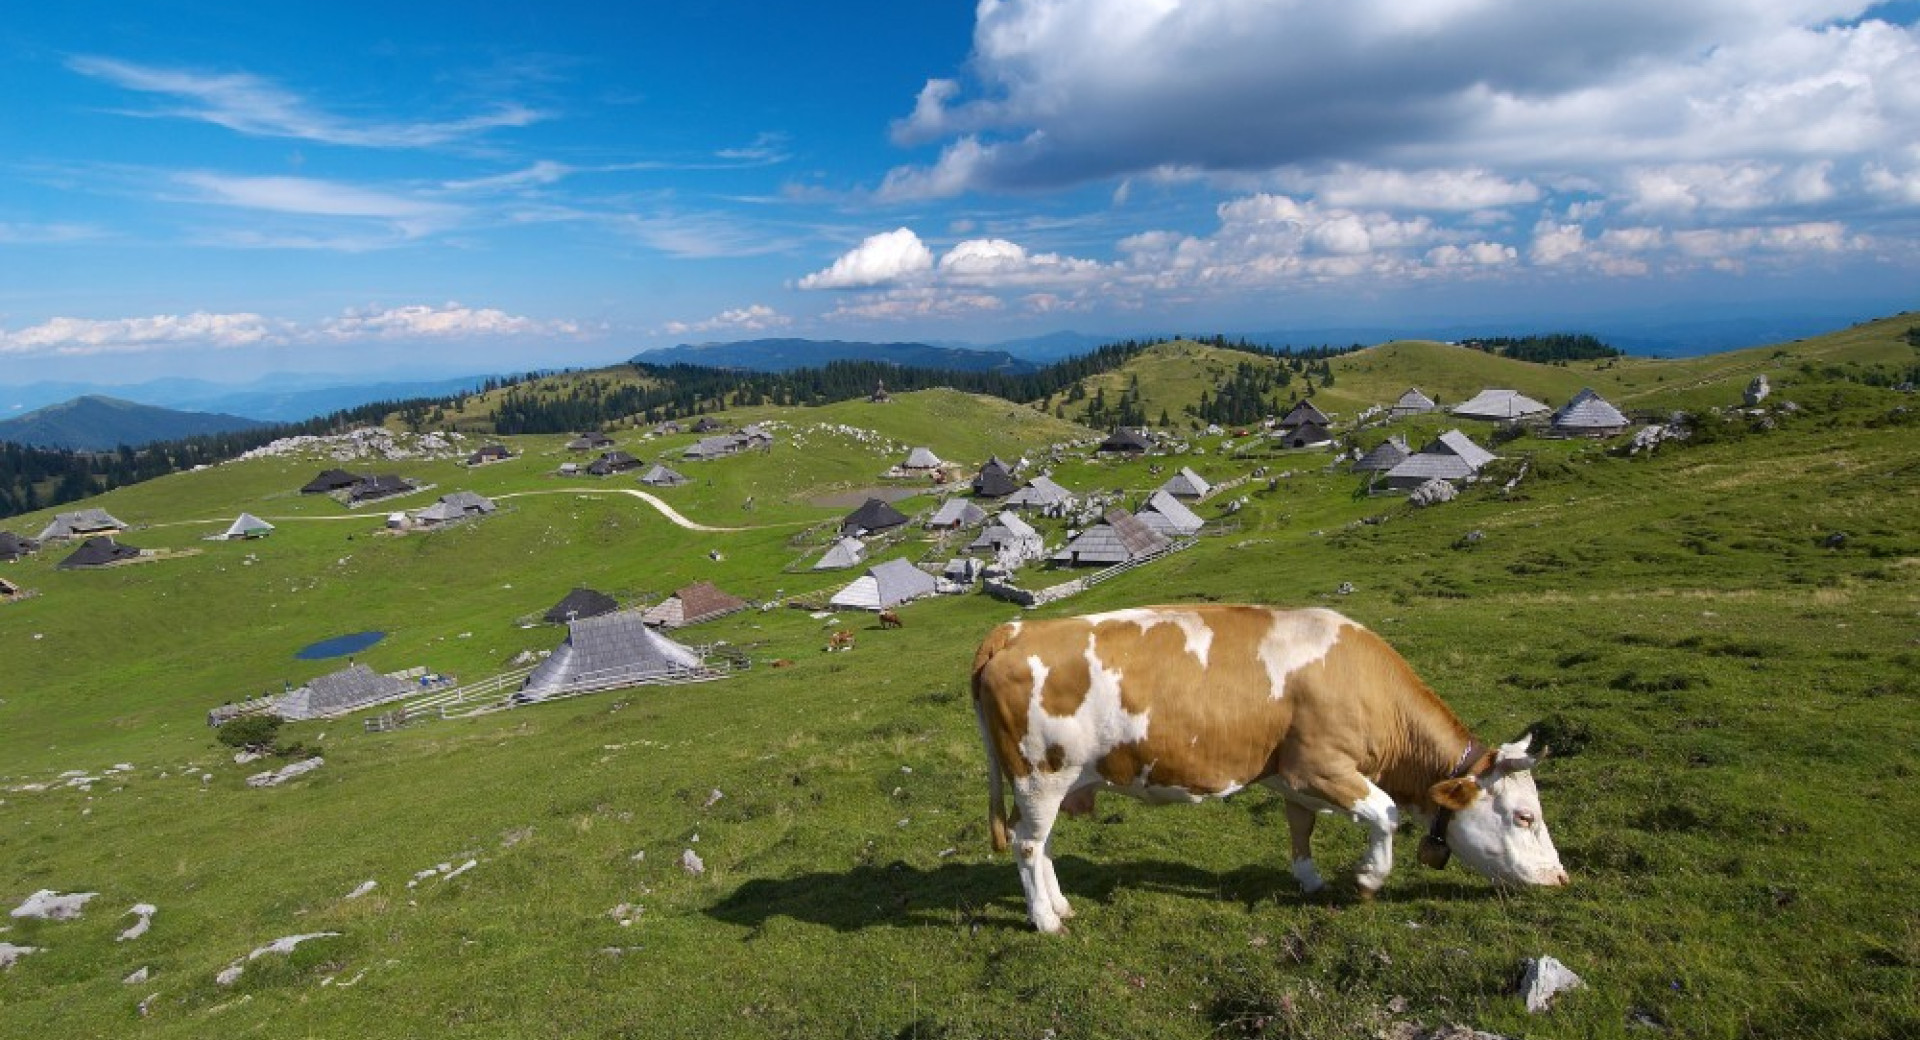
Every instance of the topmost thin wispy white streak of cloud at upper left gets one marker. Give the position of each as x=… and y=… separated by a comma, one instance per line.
x=249, y=105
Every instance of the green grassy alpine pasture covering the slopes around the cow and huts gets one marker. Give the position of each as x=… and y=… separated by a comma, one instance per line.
x=1727, y=686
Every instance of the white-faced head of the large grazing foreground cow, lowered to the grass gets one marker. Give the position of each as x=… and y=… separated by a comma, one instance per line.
x=1497, y=826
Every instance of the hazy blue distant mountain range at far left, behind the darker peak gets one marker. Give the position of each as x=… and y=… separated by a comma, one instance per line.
x=277, y=398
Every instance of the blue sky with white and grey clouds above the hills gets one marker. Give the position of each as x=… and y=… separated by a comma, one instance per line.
x=224, y=189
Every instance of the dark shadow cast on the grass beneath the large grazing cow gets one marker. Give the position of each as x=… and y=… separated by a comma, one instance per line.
x=988, y=895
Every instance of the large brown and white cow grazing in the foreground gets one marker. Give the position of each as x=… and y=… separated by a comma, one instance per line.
x=1188, y=703
